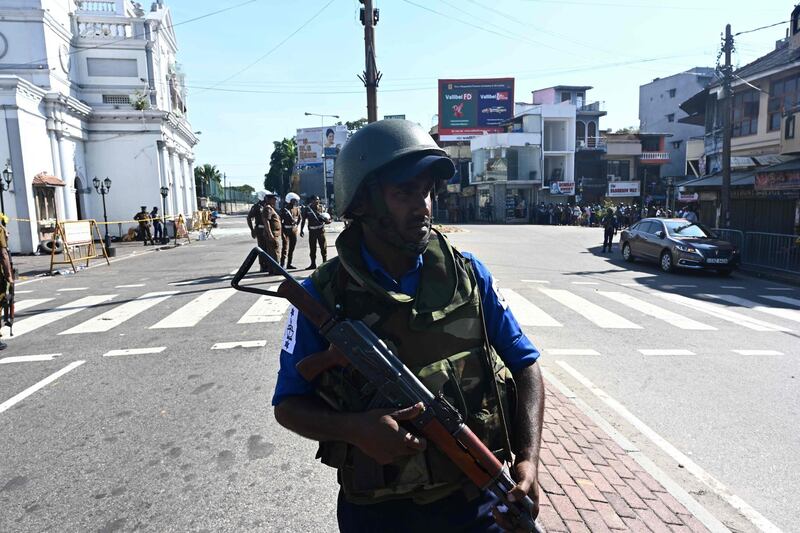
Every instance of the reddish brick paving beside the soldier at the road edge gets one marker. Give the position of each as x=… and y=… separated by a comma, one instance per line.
x=589, y=483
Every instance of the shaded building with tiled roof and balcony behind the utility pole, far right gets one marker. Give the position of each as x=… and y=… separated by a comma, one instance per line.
x=765, y=162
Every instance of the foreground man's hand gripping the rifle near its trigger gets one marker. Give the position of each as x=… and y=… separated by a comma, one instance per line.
x=379, y=434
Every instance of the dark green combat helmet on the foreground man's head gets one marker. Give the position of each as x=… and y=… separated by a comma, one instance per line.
x=373, y=148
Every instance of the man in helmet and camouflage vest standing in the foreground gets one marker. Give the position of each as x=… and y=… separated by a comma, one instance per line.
x=441, y=313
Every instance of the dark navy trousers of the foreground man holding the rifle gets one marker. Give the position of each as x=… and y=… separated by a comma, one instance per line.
x=454, y=513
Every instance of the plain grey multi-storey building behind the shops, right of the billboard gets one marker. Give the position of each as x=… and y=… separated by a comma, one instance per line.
x=655, y=104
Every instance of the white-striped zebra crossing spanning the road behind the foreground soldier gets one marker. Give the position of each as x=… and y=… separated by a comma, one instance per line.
x=538, y=306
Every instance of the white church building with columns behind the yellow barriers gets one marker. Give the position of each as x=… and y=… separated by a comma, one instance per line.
x=90, y=89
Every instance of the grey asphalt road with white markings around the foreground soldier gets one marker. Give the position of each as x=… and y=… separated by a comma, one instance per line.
x=155, y=412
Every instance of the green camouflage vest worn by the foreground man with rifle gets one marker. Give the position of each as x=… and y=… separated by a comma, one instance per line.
x=440, y=335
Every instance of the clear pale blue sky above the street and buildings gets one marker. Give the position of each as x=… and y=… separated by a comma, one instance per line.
x=254, y=70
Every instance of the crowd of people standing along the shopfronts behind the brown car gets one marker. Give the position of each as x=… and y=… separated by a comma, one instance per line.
x=591, y=215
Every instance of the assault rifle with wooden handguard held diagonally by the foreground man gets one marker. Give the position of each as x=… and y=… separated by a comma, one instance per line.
x=353, y=343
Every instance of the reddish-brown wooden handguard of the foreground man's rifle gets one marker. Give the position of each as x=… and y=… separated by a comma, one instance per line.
x=466, y=451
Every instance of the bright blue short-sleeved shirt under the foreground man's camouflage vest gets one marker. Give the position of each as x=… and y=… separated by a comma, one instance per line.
x=302, y=338
